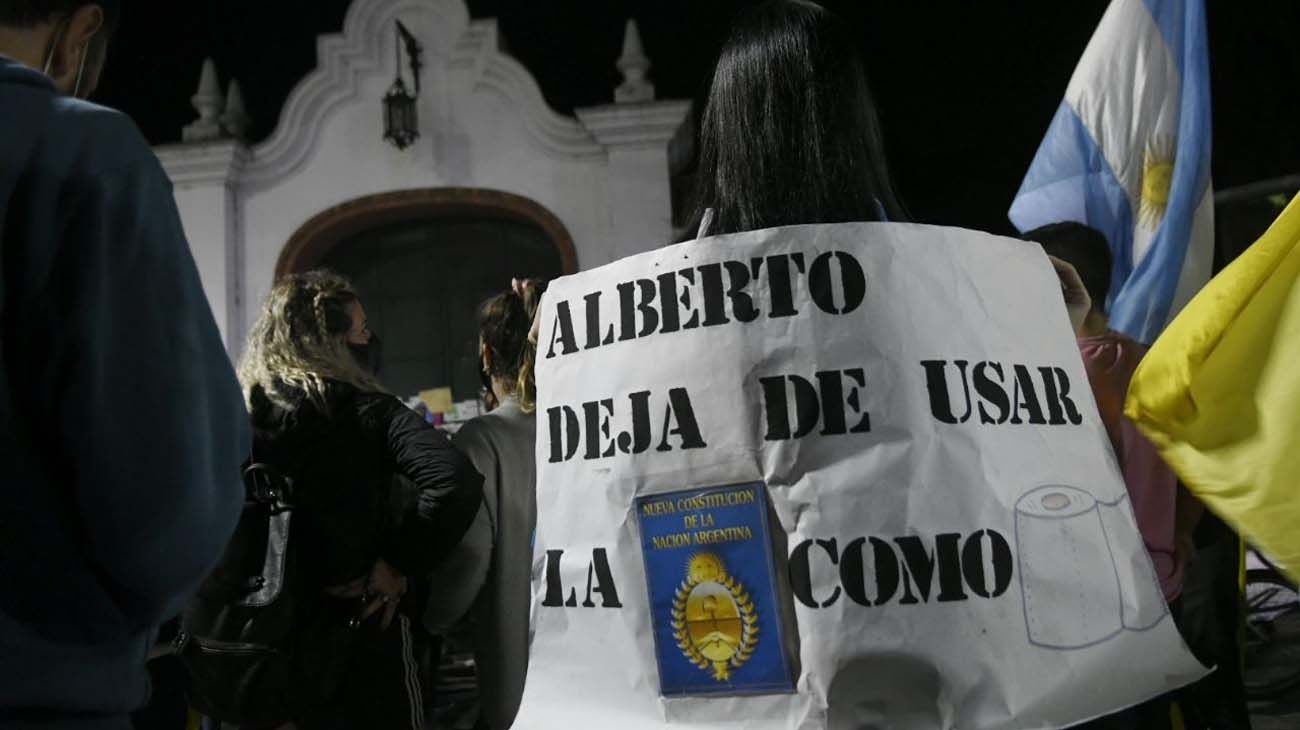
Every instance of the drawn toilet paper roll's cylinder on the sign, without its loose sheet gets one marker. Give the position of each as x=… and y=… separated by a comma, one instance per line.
x=1068, y=579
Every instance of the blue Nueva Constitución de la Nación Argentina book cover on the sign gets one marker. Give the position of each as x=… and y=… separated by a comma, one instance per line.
x=712, y=579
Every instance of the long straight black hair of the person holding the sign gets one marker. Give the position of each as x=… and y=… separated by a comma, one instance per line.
x=790, y=134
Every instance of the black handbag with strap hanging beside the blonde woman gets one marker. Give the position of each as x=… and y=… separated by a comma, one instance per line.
x=261, y=646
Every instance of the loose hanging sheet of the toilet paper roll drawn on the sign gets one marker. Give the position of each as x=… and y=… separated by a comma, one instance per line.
x=1143, y=603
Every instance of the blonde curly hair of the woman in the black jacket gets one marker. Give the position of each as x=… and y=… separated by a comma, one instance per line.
x=300, y=342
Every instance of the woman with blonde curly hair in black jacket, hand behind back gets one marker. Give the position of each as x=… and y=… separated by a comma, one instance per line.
x=380, y=494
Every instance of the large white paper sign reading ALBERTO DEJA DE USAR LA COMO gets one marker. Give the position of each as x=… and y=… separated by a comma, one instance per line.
x=956, y=546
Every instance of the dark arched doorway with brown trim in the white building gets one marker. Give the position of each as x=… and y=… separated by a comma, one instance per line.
x=423, y=260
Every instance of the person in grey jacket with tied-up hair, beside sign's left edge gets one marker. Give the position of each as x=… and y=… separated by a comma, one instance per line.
x=491, y=573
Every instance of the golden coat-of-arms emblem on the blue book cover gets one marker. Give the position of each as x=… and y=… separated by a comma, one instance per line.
x=713, y=618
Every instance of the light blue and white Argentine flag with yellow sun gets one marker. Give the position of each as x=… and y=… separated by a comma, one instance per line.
x=1129, y=154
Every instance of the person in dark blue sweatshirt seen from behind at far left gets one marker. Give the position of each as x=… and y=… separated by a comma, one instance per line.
x=123, y=427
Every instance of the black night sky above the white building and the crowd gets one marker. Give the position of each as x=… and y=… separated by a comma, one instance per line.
x=965, y=89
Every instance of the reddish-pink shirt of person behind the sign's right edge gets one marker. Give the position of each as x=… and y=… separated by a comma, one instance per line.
x=1111, y=360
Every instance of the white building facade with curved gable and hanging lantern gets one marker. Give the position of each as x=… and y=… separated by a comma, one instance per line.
x=596, y=185
